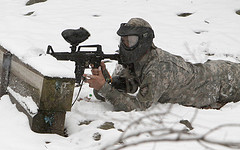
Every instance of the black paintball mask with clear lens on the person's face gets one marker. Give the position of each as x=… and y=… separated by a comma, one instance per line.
x=135, y=42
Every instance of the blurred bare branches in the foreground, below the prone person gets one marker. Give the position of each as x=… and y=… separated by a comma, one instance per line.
x=166, y=134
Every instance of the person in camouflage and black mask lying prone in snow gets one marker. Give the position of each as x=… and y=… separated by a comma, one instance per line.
x=155, y=75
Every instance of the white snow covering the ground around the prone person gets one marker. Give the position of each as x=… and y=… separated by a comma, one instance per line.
x=213, y=28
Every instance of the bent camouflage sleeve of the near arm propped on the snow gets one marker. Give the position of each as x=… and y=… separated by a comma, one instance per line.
x=143, y=98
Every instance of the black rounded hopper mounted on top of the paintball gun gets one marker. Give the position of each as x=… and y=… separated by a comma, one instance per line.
x=75, y=36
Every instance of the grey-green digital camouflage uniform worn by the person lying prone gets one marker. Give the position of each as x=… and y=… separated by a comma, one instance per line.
x=162, y=77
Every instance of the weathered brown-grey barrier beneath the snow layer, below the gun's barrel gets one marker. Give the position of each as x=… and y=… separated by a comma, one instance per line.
x=52, y=95
